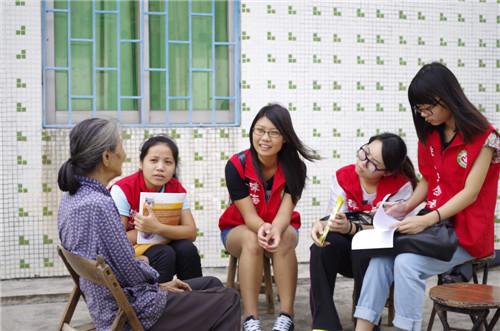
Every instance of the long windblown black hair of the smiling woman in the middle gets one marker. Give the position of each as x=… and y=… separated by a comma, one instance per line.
x=288, y=157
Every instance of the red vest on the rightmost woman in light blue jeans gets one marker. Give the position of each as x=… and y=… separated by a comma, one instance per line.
x=446, y=172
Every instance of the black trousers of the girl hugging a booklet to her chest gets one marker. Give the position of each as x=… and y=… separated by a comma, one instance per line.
x=179, y=257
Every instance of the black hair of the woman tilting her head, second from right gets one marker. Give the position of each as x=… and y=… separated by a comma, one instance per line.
x=395, y=156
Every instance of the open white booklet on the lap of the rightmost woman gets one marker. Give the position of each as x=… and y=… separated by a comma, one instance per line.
x=382, y=234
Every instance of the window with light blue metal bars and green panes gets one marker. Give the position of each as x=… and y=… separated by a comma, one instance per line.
x=153, y=63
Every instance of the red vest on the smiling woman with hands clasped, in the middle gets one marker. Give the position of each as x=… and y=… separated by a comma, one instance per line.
x=266, y=210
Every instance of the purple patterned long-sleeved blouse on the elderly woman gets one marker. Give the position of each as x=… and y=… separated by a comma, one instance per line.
x=89, y=225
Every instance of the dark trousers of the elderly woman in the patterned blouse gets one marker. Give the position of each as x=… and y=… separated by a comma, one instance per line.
x=210, y=306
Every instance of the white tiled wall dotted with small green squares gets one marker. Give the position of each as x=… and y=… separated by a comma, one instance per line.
x=341, y=67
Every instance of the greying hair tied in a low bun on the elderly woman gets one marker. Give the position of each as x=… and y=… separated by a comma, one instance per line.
x=88, y=140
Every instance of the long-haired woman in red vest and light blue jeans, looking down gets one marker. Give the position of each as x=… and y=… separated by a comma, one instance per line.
x=458, y=157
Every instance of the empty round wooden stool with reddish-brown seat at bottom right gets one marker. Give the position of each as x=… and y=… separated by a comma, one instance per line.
x=473, y=299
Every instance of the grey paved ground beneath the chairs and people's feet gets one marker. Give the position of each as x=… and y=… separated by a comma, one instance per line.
x=37, y=304
